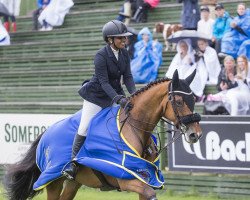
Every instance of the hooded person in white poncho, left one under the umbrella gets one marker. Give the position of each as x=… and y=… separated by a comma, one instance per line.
x=184, y=62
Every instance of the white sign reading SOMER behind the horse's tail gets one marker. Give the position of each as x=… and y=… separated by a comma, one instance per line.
x=18, y=131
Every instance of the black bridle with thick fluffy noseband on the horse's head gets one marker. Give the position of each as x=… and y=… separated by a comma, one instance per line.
x=182, y=121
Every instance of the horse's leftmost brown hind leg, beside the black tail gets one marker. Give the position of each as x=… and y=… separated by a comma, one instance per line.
x=54, y=189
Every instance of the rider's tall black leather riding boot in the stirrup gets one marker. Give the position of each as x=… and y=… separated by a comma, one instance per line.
x=78, y=142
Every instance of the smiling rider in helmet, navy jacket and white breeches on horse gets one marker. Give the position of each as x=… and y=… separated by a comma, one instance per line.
x=111, y=62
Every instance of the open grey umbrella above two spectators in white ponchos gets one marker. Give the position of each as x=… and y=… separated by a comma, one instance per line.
x=185, y=34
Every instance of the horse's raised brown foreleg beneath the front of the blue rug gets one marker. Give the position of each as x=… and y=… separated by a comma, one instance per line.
x=145, y=192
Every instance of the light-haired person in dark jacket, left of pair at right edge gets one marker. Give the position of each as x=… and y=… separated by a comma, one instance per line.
x=226, y=78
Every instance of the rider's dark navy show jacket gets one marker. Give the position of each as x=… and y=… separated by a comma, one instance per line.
x=106, y=82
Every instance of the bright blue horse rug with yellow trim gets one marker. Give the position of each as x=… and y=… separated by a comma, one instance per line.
x=105, y=150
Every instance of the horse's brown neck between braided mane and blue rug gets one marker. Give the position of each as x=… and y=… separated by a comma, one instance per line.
x=145, y=115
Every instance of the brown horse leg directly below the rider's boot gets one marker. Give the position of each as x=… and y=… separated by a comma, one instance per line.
x=70, y=190
